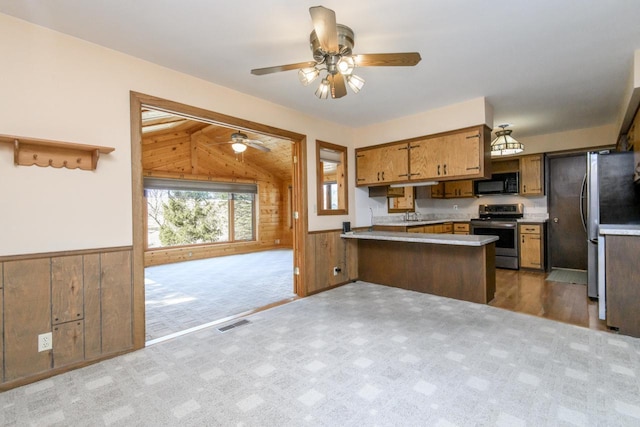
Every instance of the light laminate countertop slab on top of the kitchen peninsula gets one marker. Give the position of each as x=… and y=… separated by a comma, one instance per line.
x=437, y=239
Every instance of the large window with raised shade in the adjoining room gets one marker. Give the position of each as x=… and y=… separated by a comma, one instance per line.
x=183, y=213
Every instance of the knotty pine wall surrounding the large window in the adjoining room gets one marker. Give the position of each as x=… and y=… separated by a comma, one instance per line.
x=185, y=156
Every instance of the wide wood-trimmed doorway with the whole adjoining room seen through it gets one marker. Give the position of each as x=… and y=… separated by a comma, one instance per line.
x=214, y=230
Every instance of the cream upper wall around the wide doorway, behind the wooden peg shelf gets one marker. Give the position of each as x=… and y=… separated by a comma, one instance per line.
x=58, y=87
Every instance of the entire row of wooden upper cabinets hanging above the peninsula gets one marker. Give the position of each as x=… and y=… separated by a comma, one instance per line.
x=443, y=157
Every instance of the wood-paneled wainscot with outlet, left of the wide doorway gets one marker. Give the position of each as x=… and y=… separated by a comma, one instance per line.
x=82, y=298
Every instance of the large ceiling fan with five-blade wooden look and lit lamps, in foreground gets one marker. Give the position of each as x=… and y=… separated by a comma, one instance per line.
x=332, y=48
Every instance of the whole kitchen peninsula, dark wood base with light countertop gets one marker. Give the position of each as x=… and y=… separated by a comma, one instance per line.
x=449, y=265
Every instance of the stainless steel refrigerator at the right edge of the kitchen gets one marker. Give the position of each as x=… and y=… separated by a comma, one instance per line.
x=609, y=196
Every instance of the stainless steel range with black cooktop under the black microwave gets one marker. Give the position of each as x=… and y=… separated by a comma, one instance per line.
x=501, y=221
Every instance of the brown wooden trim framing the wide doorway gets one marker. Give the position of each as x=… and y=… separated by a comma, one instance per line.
x=137, y=101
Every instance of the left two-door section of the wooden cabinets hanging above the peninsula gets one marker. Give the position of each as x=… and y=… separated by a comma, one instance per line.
x=382, y=165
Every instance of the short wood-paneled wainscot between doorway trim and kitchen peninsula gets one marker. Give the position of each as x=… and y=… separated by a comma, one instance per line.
x=326, y=250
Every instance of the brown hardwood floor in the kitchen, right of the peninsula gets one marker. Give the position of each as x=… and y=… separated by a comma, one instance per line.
x=528, y=292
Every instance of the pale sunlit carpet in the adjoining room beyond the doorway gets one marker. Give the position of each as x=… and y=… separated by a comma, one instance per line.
x=185, y=295
